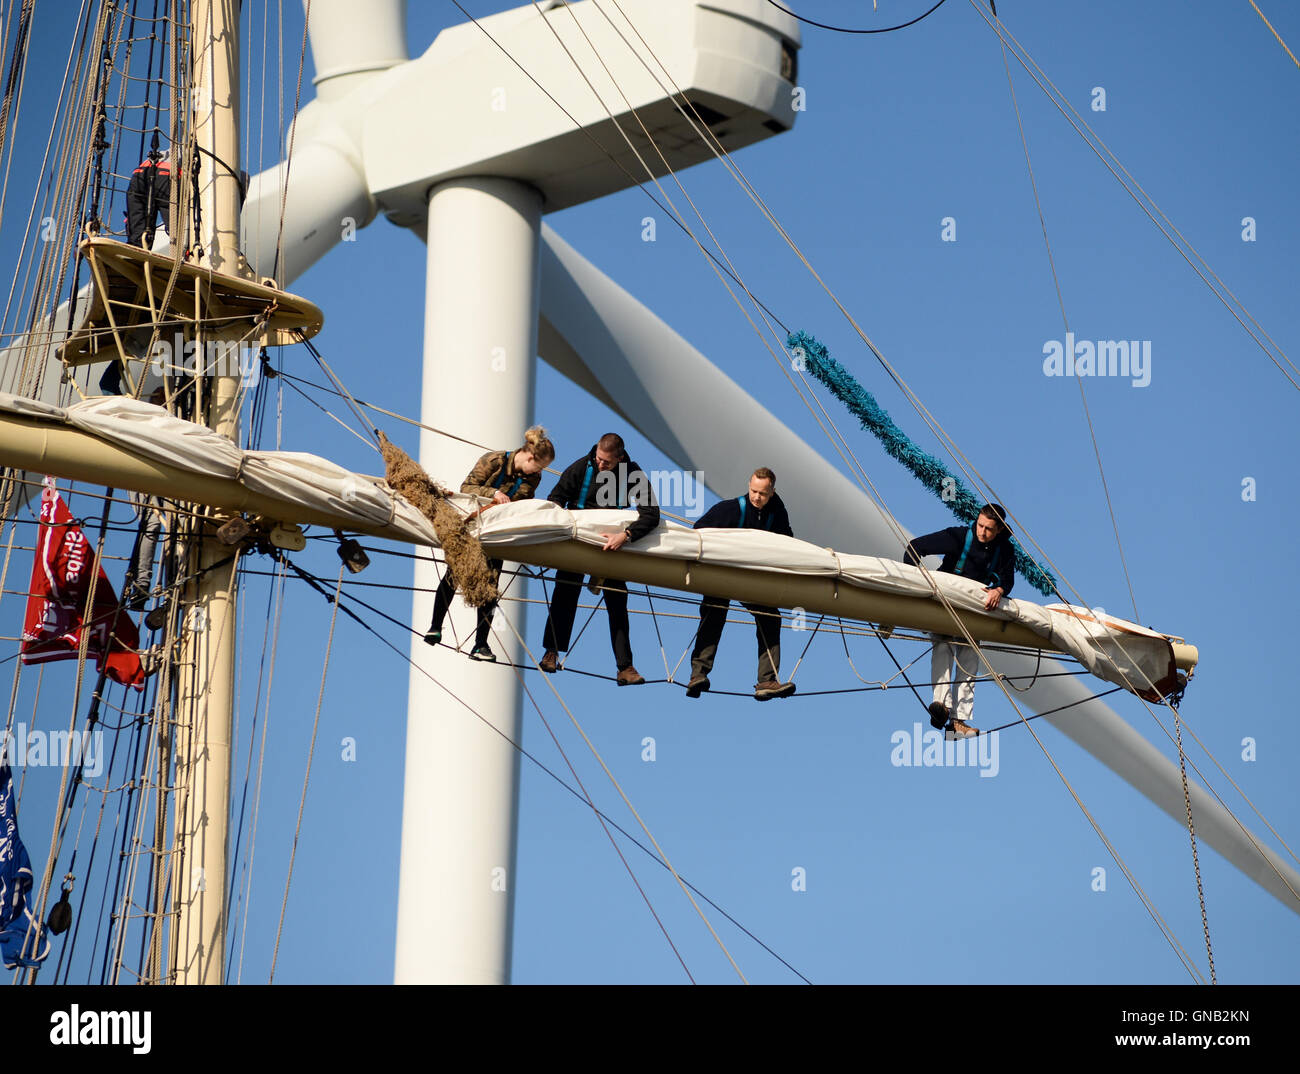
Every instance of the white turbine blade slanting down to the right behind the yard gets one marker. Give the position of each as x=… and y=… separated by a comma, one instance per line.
x=604, y=340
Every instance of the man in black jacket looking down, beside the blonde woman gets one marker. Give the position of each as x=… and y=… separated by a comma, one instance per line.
x=606, y=478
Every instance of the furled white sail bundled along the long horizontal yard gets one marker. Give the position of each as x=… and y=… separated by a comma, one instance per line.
x=751, y=565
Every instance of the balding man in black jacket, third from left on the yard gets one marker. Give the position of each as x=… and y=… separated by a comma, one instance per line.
x=760, y=509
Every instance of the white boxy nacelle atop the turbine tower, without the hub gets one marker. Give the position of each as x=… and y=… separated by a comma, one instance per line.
x=466, y=109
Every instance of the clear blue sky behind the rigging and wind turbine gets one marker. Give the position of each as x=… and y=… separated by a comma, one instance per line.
x=912, y=874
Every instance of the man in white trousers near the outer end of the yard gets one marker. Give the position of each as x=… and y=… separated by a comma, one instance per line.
x=982, y=552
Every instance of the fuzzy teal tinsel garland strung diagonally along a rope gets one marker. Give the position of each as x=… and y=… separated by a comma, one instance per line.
x=931, y=473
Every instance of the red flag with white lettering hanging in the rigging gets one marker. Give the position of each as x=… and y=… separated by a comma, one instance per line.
x=57, y=607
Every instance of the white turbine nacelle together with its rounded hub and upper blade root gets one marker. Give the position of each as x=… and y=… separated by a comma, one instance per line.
x=384, y=132
